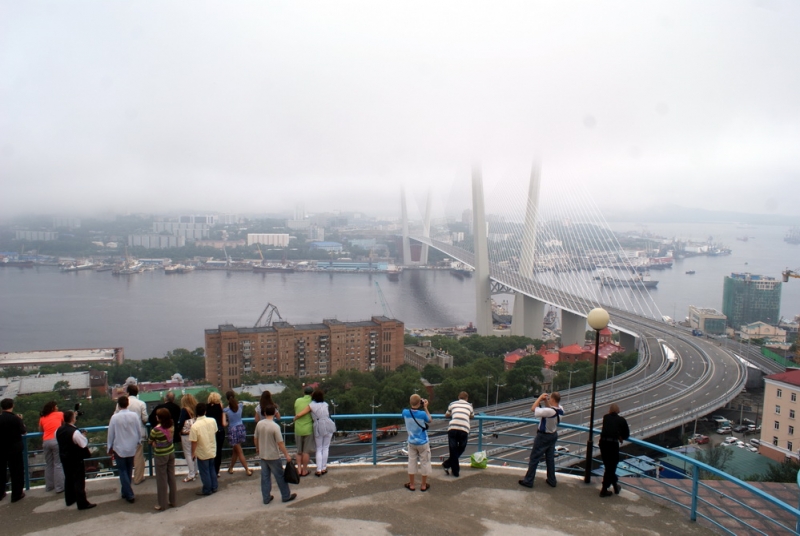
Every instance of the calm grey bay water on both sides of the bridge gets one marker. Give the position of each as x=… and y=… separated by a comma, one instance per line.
x=151, y=313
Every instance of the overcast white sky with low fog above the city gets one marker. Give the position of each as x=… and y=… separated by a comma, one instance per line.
x=255, y=106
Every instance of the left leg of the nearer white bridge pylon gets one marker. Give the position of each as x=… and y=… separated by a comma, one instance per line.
x=483, y=295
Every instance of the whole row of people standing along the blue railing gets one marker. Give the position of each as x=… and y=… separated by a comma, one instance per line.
x=199, y=429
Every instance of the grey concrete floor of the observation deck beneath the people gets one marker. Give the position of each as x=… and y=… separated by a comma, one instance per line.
x=356, y=500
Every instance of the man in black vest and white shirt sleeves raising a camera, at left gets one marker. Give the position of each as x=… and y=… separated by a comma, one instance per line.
x=73, y=449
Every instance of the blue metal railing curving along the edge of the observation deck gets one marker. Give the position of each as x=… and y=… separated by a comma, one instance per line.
x=370, y=445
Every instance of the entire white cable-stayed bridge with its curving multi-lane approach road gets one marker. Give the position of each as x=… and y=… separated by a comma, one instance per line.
x=566, y=256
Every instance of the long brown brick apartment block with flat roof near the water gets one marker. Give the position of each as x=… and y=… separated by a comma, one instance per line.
x=283, y=349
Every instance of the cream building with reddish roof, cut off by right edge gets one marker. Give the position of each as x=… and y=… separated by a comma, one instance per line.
x=781, y=414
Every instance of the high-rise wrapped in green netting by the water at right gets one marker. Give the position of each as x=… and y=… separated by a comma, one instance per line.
x=748, y=298
